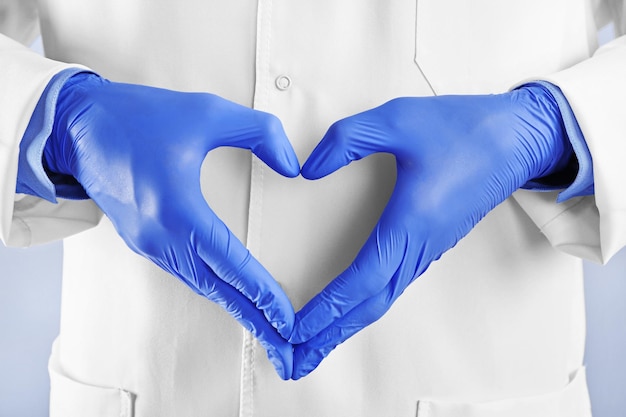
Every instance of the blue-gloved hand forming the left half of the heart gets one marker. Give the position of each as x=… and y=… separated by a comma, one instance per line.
x=137, y=151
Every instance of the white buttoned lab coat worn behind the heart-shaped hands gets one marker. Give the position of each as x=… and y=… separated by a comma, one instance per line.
x=495, y=328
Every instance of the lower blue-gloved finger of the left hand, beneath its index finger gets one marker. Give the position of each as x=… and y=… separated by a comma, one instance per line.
x=279, y=351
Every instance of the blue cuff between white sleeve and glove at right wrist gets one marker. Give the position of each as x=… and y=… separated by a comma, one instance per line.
x=583, y=183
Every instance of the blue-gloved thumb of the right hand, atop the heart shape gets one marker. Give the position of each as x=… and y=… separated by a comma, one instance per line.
x=345, y=141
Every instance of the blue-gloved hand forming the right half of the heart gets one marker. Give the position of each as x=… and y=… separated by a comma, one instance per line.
x=457, y=158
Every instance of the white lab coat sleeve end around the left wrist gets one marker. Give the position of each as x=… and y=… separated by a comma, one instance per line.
x=26, y=220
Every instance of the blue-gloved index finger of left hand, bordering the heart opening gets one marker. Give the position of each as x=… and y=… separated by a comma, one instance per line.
x=233, y=264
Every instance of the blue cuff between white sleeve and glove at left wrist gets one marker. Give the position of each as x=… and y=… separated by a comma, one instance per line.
x=31, y=175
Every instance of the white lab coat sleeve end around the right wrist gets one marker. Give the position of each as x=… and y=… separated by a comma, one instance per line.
x=592, y=227
